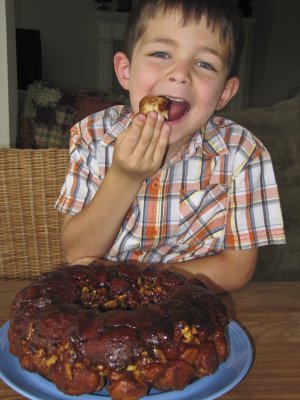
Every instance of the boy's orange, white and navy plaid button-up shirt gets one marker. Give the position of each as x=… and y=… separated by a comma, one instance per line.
x=219, y=192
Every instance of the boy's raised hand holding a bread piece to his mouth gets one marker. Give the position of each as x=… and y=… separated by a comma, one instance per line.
x=140, y=149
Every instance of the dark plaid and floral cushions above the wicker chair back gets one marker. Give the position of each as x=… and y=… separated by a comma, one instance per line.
x=49, y=113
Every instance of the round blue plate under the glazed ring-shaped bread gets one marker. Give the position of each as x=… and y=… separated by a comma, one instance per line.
x=34, y=387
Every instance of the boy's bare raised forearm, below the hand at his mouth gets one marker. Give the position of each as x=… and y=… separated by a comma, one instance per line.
x=91, y=232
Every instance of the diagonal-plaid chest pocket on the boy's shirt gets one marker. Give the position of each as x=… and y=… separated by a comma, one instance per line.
x=203, y=217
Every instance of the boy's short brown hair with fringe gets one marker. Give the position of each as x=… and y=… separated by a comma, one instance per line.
x=220, y=14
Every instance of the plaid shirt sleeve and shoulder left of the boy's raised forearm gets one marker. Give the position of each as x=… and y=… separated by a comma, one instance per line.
x=91, y=149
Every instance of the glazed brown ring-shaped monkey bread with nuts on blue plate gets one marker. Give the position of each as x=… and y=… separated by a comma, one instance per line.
x=83, y=327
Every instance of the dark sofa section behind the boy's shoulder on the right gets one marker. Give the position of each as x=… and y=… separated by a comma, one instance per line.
x=278, y=127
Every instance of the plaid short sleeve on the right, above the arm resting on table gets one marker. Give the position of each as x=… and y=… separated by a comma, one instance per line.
x=254, y=212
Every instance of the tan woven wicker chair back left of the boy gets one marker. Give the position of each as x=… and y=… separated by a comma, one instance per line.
x=30, y=181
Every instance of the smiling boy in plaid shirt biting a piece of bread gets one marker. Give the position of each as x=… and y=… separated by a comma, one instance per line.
x=195, y=194
